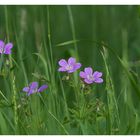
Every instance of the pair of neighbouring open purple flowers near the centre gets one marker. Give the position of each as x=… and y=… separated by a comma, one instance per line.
x=87, y=75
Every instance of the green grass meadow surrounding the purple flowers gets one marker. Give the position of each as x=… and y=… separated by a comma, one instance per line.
x=106, y=38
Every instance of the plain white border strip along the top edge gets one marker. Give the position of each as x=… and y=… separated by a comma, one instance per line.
x=70, y=2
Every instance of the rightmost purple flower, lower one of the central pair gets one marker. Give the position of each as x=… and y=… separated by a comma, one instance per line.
x=90, y=77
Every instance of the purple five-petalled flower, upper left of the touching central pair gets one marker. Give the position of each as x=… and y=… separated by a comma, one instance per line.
x=70, y=66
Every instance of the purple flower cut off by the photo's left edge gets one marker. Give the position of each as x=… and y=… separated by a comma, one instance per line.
x=5, y=48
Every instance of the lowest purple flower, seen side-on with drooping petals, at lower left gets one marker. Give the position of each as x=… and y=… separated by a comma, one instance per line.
x=33, y=88
